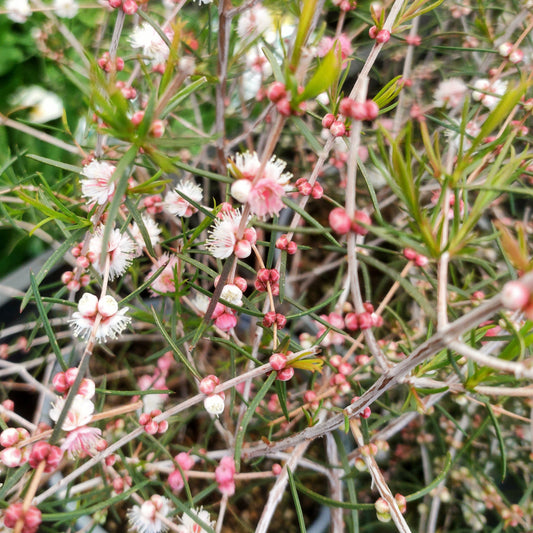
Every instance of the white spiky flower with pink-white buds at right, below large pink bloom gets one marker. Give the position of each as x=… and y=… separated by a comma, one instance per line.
x=222, y=238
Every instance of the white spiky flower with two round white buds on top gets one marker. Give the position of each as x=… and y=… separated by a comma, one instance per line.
x=111, y=325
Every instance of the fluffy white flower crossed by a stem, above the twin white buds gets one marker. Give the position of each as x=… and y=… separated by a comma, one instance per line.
x=121, y=250
